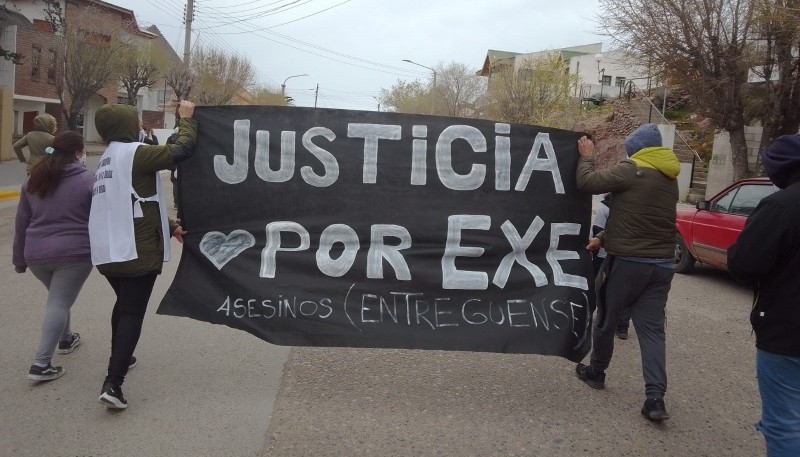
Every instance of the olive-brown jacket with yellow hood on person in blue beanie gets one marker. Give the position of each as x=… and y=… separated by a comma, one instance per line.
x=644, y=192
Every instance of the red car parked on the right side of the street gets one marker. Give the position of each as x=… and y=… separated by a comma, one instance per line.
x=706, y=233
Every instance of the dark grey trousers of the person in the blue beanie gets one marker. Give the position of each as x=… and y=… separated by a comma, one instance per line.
x=643, y=288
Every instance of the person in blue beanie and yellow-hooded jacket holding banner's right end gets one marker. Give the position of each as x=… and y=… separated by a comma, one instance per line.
x=640, y=241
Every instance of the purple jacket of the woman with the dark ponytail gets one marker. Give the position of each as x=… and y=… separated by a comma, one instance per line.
x=55, y=229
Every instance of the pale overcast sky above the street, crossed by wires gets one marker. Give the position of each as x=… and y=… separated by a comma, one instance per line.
x=353, y=48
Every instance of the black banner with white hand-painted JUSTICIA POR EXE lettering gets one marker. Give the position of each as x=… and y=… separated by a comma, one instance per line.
x=317, y=227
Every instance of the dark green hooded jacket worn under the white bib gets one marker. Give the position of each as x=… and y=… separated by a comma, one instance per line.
x=121, y=123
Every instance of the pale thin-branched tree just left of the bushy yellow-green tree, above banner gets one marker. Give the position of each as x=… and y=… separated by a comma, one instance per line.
x=458, y=90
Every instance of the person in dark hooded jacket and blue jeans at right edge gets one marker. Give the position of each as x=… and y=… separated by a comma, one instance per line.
x=767, y=255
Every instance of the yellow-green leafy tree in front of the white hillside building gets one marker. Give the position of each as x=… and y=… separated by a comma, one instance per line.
x=537, y=92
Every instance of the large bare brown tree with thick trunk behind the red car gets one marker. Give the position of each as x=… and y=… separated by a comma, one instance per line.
x=703, y=46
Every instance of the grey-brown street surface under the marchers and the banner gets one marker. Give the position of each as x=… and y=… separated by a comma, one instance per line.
x=205, y=390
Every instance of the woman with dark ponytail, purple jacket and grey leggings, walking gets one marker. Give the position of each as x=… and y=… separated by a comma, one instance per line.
x=52, y=240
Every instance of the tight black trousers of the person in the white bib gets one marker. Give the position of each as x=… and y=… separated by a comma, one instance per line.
x=126, y=321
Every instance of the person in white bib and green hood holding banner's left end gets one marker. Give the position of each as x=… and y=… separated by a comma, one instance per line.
x=129, y=229
